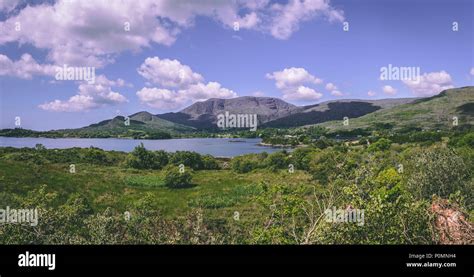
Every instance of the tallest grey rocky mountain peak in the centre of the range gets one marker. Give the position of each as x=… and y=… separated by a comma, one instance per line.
x=203, y=115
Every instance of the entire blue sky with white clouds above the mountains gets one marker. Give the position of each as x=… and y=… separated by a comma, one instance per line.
x=161, y=56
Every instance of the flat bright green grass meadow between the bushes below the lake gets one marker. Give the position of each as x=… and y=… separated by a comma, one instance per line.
x=221, y=192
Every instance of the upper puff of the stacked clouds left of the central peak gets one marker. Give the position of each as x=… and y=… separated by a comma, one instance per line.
x=168, y=73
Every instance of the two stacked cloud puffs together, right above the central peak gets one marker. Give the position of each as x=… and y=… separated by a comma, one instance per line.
x=293, y=83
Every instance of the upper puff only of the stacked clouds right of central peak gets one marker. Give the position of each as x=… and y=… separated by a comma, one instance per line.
x=293, y=77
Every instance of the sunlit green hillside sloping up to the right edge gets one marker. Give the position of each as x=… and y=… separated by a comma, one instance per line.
x=435, y=112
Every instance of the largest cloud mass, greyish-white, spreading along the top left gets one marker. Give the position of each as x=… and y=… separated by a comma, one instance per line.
x=93, y=33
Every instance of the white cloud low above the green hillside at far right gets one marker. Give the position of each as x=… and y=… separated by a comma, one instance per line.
x=430, y=83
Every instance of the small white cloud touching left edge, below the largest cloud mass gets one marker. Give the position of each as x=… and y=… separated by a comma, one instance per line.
x=25, y=68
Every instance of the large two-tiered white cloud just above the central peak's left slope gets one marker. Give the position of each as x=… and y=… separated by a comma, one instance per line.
x=178, y=85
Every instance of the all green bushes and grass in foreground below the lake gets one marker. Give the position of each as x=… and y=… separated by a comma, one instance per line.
x=279, y=198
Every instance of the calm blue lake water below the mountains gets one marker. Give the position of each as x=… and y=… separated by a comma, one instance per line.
x=218, y=147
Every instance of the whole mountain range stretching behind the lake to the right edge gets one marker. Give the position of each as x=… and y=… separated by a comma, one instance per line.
x=274, y=112
